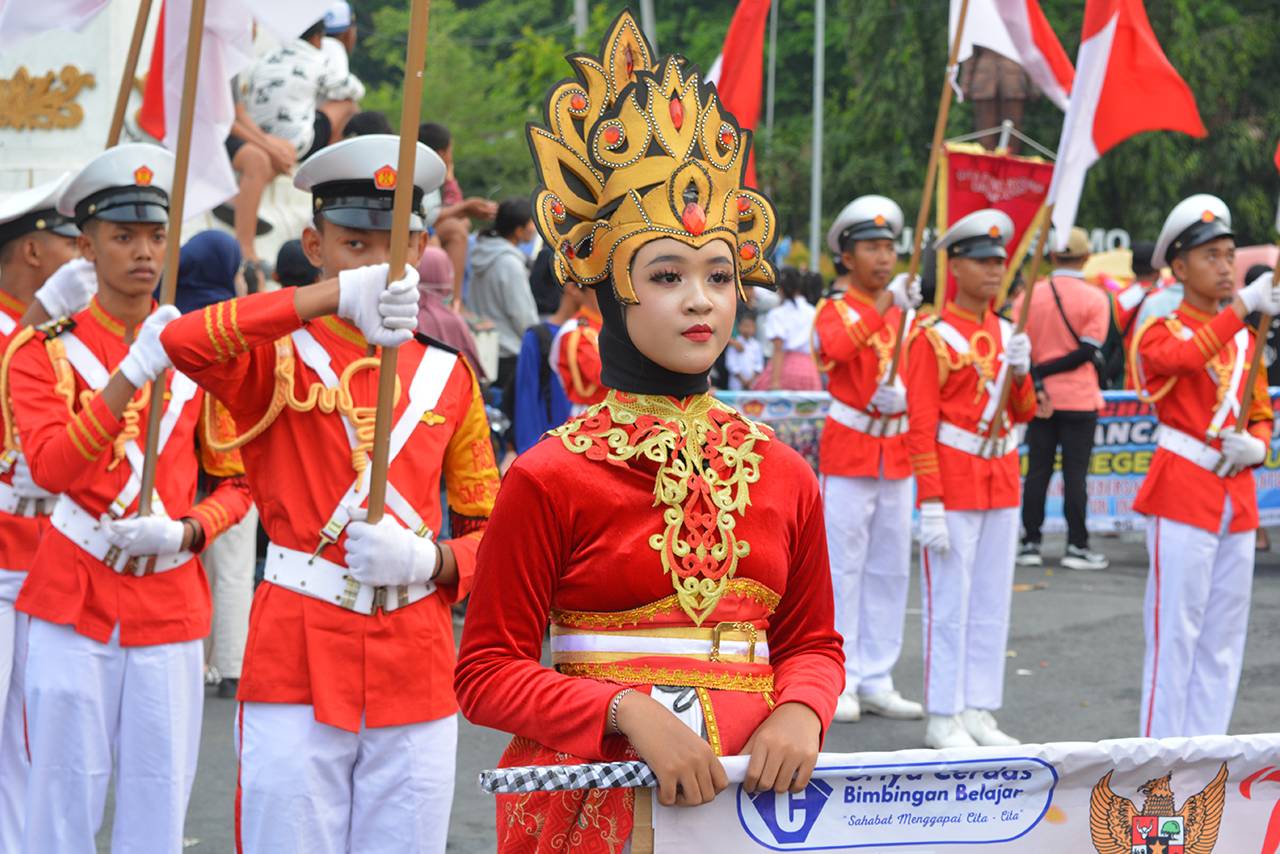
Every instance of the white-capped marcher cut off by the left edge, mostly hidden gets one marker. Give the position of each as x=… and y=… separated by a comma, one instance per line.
x=35, y=243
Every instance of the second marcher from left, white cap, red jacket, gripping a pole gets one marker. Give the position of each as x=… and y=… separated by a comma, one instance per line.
x=118, y=604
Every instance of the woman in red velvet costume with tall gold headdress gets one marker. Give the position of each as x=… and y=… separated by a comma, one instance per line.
x=675, y=547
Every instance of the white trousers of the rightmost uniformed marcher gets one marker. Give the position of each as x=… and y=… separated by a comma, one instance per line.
x=1196, y=616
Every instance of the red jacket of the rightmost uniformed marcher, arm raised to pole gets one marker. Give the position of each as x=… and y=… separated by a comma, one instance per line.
x=1186, y=364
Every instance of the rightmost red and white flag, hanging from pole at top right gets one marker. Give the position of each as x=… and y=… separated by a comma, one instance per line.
x=1124, y=86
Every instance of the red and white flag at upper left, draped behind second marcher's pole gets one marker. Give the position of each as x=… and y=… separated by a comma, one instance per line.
x=227, y=49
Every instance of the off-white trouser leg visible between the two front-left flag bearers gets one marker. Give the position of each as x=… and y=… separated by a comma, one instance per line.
x=230, y=564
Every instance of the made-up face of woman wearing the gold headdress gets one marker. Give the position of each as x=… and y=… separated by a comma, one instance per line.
x=688, y=302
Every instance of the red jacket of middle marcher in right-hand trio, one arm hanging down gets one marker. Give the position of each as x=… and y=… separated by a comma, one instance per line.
x=947, y=386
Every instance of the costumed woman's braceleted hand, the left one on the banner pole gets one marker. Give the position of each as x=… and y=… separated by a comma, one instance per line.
x=689, y=773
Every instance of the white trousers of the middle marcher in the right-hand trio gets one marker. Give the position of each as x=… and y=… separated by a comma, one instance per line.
x=967, y=597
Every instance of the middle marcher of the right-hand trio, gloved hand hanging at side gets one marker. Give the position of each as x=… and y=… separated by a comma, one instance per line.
x=967, y=483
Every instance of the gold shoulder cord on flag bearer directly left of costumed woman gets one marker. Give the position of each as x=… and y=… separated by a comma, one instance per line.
x=319, y=396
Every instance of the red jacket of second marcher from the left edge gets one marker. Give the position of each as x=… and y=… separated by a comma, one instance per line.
x=76, y=447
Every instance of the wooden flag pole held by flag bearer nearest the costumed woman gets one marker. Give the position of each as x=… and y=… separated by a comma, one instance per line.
x=412, y=109
